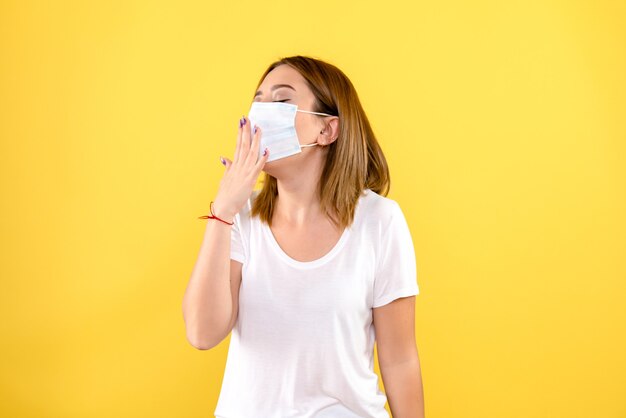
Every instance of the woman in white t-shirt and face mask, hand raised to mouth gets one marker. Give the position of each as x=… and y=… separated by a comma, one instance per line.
x=313, y=269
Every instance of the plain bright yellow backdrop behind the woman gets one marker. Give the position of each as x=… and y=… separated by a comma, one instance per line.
x=503, y=124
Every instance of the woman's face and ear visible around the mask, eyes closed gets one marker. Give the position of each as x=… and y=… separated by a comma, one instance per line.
x=285, y=84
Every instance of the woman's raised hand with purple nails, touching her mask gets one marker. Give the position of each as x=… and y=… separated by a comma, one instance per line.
x=241, y=174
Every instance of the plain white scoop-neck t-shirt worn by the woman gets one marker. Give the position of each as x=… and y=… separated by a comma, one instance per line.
x=303, y=343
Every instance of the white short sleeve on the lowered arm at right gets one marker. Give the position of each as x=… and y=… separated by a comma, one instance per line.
x=396, y=272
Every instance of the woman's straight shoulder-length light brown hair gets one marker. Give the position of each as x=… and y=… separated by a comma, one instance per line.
x=354, y=162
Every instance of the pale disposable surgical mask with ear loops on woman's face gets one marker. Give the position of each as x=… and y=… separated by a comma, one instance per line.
x=278, y=130
